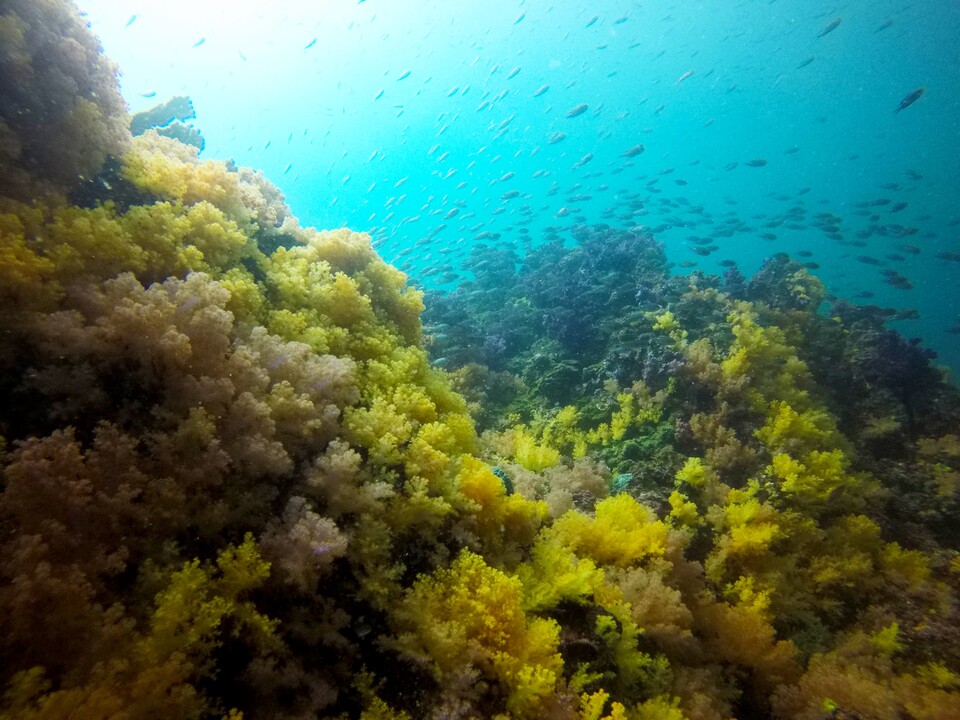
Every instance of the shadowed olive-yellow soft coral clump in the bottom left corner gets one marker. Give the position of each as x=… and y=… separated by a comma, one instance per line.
x=151, y=675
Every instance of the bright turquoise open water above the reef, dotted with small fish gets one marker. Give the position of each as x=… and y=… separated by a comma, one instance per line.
x=388, y=116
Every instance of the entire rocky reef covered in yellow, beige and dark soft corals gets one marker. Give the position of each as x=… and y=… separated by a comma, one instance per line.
x=235, y=485
